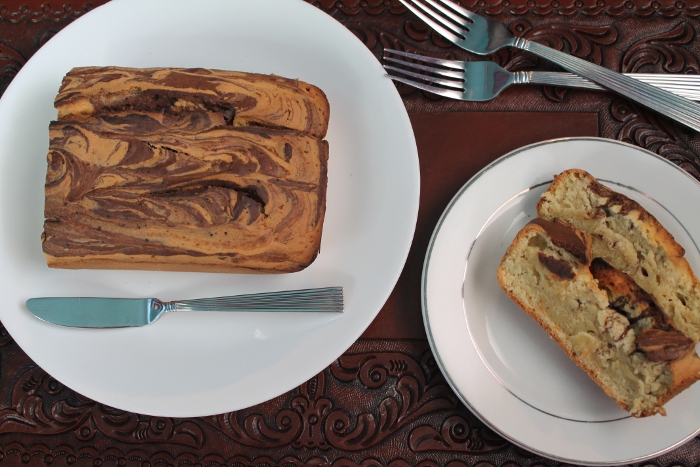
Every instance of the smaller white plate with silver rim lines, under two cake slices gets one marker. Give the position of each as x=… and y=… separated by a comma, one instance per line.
x=500, y=363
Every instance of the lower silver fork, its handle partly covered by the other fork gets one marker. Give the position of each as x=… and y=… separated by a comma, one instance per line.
x=484, y=80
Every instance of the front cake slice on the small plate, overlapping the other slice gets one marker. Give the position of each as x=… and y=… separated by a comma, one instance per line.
x=609, y=326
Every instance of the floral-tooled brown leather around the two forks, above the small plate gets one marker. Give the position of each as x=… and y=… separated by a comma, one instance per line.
x=626, y=43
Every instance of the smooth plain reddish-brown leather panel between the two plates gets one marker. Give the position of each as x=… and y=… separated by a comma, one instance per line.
x=453, y=146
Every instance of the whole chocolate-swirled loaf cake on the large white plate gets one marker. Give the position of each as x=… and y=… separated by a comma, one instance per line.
x=185, y=170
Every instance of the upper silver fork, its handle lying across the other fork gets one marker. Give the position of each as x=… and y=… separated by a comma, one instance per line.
x=484, y=36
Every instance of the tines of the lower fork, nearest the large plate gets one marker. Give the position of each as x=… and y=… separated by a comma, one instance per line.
x=453, y=87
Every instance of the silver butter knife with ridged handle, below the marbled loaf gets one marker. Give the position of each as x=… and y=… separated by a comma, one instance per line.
x=91, y=312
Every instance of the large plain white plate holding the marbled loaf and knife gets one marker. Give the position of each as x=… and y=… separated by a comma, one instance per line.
x=193, y=364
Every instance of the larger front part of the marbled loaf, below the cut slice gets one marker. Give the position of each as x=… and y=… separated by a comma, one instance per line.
x=224, y=193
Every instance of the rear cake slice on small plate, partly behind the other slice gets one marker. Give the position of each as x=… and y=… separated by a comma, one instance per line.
x=630, y=239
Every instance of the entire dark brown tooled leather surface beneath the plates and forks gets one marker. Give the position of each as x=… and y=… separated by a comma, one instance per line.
x=384, y=402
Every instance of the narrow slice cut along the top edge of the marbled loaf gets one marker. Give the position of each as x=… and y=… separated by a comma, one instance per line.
x=228, y=97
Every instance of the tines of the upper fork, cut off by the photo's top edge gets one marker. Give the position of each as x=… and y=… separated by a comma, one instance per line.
x=447, y=18
